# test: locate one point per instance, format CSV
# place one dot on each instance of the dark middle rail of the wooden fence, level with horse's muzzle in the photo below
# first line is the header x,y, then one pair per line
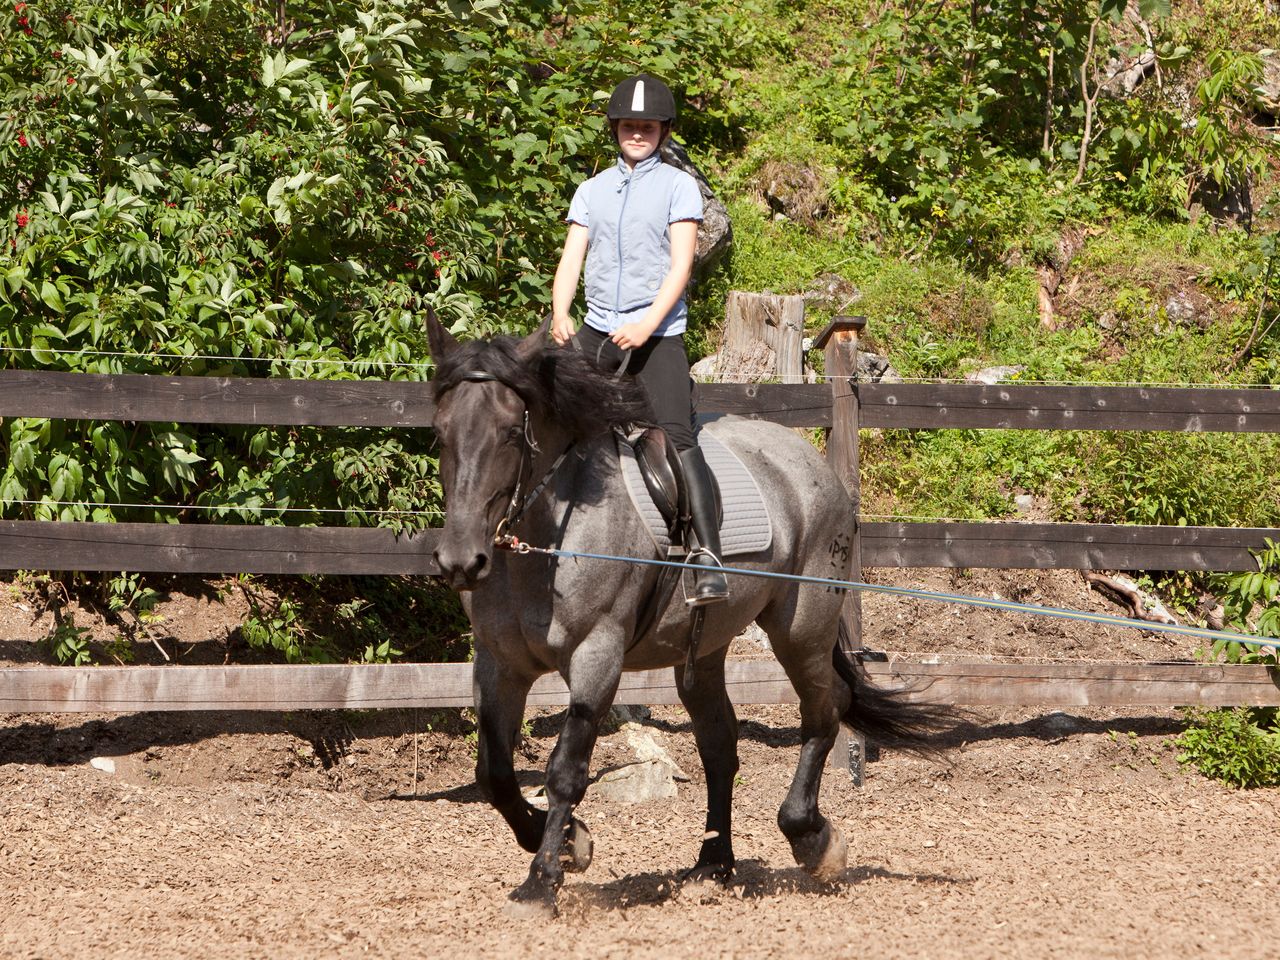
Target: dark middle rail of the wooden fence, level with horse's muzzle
x,y
236,548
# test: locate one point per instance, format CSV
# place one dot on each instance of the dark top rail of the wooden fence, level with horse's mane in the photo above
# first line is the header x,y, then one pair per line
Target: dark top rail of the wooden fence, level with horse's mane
x,y
200,400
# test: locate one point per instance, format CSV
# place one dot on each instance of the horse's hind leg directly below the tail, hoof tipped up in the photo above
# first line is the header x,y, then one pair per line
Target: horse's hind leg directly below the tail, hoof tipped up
x,y
817,844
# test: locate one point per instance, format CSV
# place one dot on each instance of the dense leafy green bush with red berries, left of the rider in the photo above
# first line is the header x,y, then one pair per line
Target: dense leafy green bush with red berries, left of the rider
x,y
263,190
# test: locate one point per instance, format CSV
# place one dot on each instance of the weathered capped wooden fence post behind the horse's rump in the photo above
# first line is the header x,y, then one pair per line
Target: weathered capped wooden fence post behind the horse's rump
x,y
839,344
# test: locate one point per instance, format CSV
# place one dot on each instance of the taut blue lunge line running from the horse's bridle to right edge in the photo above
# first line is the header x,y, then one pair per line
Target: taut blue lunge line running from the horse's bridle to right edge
x,y
1104,619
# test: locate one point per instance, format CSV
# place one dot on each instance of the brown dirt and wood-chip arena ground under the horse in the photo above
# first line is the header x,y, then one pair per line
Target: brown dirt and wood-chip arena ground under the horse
x,y
1049,835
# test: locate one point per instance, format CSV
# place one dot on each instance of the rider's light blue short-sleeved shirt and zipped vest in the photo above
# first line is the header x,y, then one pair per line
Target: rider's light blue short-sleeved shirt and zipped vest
x,y
628,214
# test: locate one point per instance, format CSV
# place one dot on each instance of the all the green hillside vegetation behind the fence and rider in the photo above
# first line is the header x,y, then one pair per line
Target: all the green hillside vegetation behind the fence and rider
x,y
1085,191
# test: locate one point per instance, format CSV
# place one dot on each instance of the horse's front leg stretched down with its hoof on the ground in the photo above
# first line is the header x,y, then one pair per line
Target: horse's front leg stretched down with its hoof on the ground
x,y
593,680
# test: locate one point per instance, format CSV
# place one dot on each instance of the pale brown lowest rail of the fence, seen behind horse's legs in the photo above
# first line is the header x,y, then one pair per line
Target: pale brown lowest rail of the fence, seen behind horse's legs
x,y
437,685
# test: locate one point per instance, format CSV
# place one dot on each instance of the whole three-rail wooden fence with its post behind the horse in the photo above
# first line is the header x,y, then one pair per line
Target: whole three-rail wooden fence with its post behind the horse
x,y
842,405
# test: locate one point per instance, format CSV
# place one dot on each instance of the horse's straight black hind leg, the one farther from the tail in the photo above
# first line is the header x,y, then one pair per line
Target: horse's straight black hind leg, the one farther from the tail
x,y
716,733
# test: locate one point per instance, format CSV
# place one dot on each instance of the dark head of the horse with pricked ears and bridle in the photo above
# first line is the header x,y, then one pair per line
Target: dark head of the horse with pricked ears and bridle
x,y
483,399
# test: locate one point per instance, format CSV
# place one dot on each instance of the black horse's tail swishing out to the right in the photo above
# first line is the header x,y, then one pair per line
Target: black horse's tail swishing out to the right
x,y
880,714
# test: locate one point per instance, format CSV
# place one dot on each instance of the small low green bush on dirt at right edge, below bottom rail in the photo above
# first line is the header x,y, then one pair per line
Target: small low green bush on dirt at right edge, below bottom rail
x,y
1240,747
